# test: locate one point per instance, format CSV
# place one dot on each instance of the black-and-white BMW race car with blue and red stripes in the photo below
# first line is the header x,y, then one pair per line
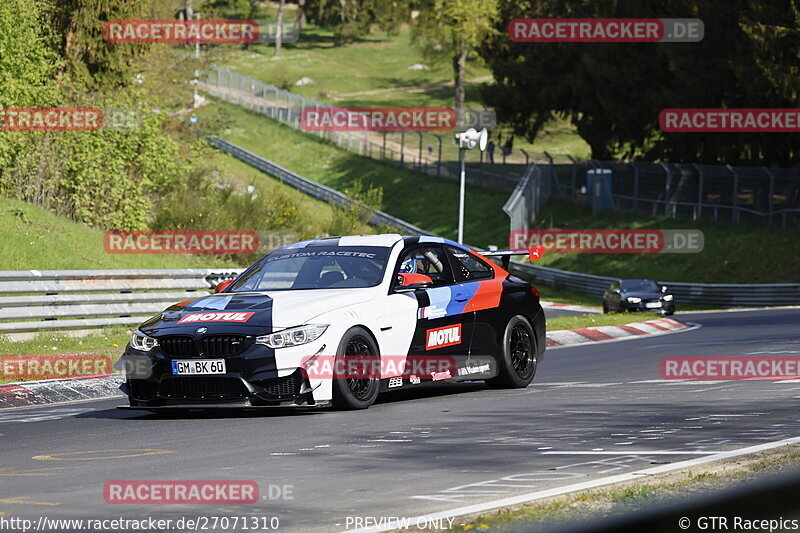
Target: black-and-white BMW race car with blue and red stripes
x,y
337,321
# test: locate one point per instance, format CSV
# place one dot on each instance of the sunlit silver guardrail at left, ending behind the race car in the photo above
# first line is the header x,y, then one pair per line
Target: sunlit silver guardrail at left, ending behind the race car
x,y
35,300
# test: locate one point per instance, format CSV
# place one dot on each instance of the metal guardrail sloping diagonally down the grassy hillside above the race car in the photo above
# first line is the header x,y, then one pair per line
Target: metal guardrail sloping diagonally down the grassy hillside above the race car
x,y
312,188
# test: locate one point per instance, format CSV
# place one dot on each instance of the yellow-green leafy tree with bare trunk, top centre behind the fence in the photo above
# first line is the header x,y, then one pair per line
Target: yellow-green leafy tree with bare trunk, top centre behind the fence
x,y
456,27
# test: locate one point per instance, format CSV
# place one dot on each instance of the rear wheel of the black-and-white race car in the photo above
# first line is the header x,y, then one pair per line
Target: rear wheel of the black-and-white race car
x,y
519,357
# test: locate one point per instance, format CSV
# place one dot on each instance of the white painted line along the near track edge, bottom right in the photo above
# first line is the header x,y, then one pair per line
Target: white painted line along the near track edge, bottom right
x,y
574,487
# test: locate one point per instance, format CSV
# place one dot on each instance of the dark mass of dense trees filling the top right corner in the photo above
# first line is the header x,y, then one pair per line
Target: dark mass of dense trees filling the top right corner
x,y
614,92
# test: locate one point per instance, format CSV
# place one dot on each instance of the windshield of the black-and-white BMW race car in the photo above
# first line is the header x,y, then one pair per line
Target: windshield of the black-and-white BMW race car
x,y
315,267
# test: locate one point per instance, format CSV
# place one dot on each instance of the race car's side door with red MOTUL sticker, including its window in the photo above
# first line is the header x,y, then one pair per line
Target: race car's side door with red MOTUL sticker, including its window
x,y
443,327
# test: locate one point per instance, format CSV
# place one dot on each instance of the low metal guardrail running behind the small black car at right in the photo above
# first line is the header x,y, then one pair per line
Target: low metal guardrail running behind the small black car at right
x,y
722,294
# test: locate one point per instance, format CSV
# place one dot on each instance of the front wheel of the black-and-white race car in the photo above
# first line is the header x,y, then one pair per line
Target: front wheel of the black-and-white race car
x,y
349,393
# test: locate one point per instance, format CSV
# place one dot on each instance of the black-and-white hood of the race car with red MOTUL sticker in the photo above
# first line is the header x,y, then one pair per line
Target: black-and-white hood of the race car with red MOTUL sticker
x,y
253,312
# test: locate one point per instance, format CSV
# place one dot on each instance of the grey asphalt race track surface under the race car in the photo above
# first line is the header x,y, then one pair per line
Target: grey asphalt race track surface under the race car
x,y
592,411
